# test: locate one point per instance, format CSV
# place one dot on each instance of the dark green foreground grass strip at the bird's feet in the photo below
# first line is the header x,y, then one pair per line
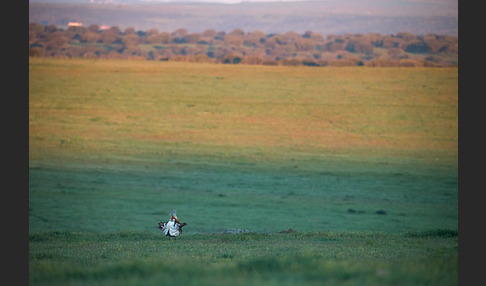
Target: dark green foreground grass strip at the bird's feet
x,y
258,259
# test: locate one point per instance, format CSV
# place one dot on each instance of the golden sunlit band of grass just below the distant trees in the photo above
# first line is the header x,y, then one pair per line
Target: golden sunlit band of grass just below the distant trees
x,y
94,106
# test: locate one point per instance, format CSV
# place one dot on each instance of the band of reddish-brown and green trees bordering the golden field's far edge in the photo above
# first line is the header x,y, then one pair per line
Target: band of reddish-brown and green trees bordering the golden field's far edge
x,y
240,47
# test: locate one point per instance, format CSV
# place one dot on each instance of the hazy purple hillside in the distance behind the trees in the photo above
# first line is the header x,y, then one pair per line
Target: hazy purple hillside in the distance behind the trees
x,y
325,17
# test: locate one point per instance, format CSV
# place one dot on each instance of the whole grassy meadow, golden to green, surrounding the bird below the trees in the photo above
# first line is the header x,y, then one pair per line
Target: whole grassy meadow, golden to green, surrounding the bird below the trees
x,y
360,162
